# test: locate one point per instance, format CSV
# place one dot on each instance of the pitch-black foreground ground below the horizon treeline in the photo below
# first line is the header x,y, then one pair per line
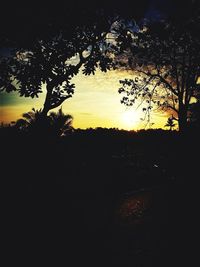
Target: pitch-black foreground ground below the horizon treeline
x,y
101,200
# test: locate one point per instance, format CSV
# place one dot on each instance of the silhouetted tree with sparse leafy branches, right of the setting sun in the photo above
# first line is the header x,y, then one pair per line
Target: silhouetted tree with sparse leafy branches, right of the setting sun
x,y
166,63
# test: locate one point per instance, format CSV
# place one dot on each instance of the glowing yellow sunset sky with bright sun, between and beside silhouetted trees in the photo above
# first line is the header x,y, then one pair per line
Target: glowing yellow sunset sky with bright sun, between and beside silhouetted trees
x,y
95,103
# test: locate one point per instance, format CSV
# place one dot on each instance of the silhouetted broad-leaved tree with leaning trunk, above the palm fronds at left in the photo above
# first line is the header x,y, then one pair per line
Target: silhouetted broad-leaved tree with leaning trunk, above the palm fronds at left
x,y
52,64
